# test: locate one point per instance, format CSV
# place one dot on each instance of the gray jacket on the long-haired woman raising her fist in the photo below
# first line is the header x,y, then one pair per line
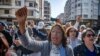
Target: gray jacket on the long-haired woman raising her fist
x,y
42,46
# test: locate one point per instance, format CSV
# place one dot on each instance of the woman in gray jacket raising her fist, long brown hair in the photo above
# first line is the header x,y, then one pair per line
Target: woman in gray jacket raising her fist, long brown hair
x,y
55,46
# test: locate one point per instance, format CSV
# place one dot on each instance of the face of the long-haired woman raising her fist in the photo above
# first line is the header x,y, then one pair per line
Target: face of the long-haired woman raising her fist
x,y
56,35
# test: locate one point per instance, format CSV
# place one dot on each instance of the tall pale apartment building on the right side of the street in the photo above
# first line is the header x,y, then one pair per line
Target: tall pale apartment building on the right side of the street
x,y
88,9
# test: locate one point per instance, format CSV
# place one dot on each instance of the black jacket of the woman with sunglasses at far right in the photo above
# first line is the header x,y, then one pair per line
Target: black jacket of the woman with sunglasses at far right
x,y
81,50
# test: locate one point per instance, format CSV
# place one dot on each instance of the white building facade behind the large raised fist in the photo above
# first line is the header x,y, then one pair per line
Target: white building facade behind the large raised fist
x,y
8,8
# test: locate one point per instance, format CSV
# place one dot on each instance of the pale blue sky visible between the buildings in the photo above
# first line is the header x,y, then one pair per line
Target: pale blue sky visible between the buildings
x,y
57,7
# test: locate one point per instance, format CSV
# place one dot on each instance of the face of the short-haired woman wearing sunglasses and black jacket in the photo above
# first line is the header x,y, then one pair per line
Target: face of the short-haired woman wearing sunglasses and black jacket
x,y
89,37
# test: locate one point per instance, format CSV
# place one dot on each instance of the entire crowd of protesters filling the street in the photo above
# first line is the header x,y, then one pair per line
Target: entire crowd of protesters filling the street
x,y
29,39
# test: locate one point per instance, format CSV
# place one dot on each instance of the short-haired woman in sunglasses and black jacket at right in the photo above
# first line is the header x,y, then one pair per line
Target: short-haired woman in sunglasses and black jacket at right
x,y
87,48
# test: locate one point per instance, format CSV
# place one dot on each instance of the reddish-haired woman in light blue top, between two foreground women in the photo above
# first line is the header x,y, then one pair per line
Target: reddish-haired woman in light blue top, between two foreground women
x,y
72,37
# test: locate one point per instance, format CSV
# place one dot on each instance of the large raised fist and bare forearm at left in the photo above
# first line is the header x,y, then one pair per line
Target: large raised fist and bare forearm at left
x,y
21,16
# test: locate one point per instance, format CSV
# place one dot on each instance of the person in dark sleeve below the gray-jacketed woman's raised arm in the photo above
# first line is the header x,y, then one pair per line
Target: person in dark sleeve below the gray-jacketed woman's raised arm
x,y
22,51
